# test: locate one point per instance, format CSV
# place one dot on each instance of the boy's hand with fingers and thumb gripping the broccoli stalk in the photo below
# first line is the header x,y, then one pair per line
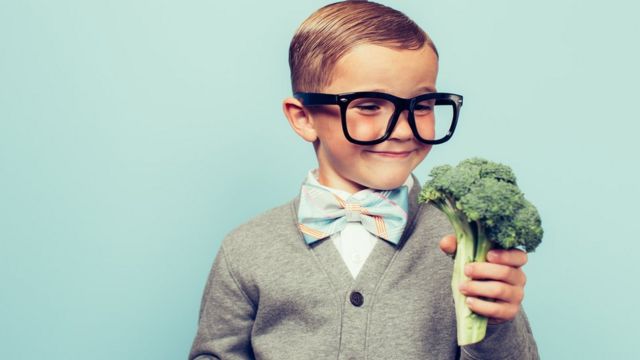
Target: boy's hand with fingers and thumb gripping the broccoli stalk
x,y
500,279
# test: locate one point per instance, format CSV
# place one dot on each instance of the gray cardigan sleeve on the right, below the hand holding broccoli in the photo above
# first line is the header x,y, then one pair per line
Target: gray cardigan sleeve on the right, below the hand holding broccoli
x,y
510,340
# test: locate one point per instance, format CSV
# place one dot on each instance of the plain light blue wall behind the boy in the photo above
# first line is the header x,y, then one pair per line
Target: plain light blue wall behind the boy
x,y
135,134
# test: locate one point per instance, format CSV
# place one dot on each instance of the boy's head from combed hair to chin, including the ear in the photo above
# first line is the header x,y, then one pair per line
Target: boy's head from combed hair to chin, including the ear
x,y
360,46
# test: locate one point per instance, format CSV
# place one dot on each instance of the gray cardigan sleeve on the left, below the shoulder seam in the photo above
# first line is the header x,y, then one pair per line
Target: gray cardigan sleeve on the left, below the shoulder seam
x,y
226,316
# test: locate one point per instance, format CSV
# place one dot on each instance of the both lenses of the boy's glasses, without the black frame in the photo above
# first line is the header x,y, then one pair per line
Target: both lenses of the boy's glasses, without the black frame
x,y
367,119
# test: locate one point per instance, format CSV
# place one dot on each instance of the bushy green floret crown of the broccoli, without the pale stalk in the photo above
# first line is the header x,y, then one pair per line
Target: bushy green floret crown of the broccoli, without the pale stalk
x,y
485,194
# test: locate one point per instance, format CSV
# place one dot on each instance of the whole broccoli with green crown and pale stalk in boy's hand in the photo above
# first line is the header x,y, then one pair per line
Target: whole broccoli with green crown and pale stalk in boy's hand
x,y
487,210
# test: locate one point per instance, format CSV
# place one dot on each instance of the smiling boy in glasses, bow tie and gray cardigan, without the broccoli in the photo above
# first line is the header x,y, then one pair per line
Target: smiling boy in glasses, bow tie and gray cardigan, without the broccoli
x,y
350,268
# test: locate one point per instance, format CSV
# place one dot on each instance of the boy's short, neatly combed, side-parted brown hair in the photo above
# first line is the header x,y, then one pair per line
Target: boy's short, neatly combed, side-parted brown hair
x,y
331,31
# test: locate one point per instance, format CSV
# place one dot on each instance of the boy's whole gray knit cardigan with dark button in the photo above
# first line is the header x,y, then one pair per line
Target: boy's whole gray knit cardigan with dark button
x,y
271,296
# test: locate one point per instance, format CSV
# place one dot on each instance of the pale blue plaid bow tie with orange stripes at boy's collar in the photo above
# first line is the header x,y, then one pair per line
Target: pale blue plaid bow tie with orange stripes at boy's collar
x,y
322,213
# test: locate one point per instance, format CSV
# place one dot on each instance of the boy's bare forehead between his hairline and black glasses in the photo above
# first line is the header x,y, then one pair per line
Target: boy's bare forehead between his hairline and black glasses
x,y
400,72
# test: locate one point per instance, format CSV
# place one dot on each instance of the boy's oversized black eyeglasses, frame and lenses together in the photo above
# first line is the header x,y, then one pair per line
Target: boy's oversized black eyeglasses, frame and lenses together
x,y
369,117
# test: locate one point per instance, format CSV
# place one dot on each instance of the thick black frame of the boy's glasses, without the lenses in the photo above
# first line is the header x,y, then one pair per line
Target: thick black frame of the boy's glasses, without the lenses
x,y
343,100
